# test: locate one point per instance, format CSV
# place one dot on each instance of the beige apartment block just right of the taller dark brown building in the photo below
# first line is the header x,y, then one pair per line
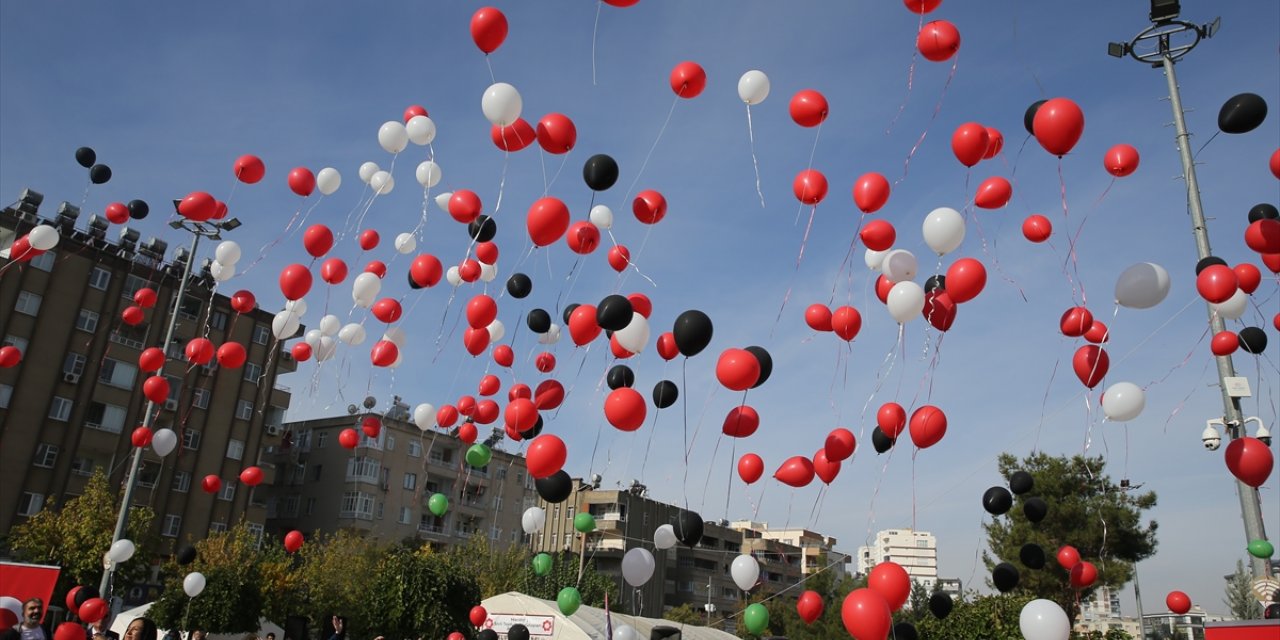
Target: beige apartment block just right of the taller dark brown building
x,y
383,487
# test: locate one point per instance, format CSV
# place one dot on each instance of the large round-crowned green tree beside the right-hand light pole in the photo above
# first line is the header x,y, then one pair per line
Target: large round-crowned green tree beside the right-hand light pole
x,y
1087,511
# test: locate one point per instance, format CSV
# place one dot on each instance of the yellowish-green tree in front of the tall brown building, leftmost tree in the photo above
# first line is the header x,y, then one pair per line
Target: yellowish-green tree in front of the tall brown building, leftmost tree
x,y
77,536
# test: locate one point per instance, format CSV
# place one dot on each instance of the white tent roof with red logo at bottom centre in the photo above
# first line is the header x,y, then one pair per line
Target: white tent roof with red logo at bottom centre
x,y
546,623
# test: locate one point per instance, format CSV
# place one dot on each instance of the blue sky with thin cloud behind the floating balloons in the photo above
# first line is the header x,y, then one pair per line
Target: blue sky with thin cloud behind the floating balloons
x,y
171,95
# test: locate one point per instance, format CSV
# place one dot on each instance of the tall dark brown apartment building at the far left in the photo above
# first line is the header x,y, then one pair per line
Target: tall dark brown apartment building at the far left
x,y
71,405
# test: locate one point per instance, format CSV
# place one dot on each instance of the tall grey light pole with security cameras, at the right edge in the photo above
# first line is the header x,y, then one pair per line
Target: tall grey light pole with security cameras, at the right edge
x,y
1162,45
